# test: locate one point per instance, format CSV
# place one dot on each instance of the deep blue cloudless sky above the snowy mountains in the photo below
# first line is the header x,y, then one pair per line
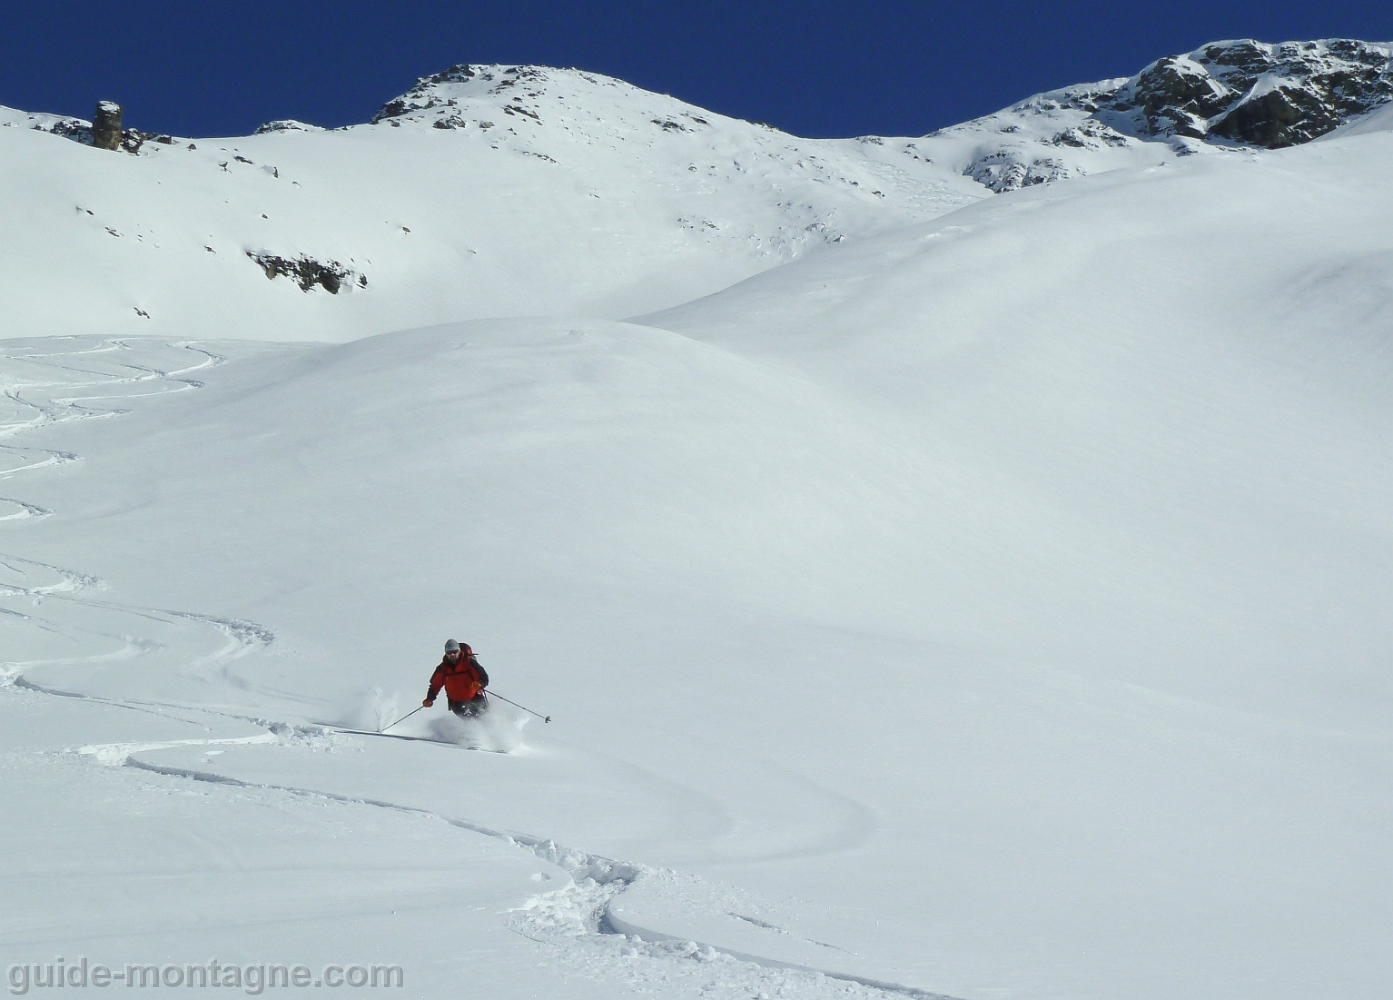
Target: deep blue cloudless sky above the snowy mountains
x,y
814,69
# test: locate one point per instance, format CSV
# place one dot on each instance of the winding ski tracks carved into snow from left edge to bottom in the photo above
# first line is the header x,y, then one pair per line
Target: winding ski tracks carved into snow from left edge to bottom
x,y
59,386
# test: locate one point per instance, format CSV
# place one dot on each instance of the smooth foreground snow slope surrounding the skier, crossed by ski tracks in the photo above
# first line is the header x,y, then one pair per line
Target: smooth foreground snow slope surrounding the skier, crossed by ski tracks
x,y
994,607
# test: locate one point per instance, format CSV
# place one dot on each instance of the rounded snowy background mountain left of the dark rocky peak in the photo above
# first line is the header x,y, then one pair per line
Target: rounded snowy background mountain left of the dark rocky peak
x,y
551,192
